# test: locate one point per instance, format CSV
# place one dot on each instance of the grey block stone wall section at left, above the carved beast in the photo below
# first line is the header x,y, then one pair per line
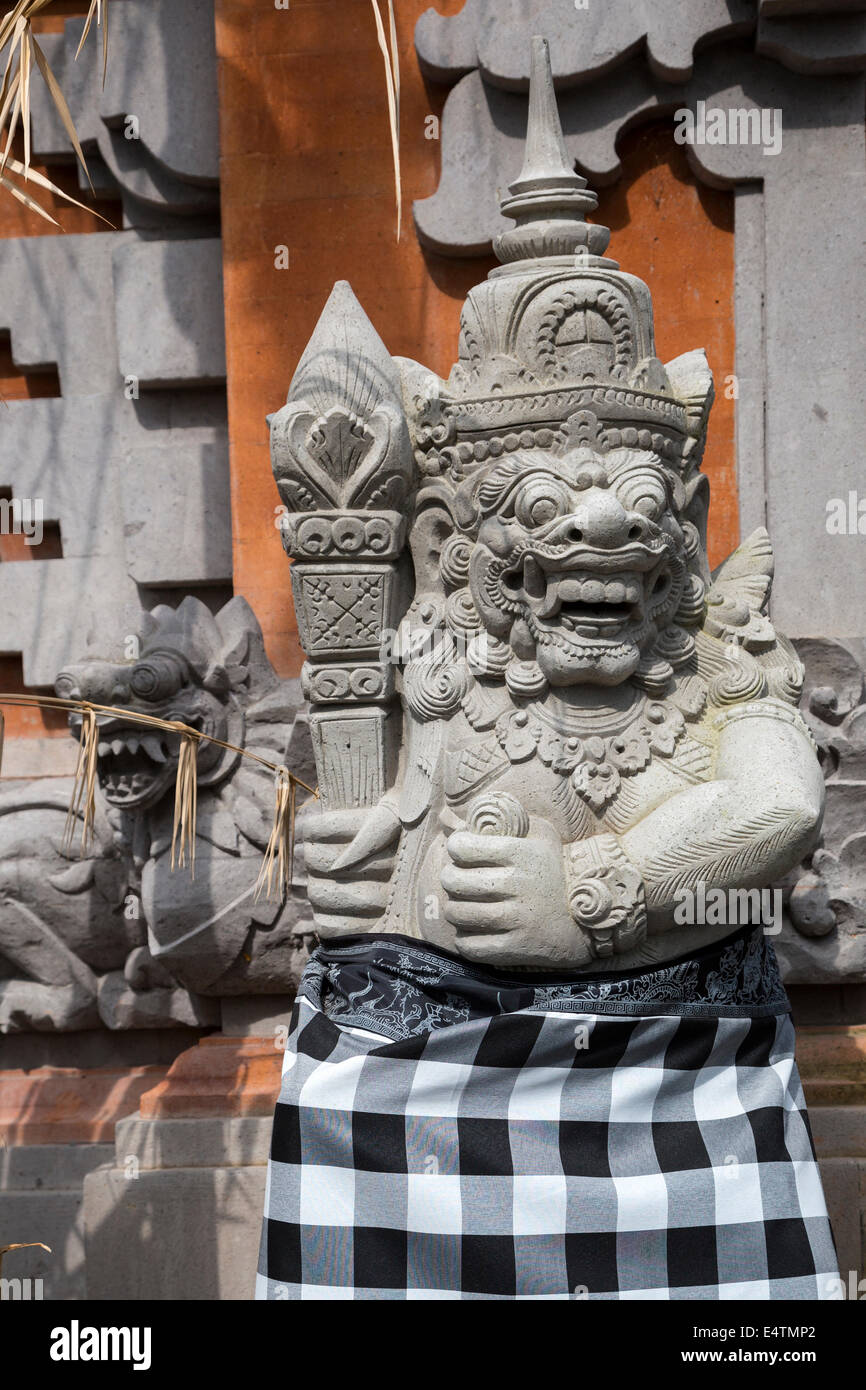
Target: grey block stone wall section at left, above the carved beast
x,y
131,458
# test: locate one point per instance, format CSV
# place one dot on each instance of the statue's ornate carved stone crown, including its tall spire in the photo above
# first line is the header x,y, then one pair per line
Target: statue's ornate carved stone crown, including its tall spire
x,y
557,347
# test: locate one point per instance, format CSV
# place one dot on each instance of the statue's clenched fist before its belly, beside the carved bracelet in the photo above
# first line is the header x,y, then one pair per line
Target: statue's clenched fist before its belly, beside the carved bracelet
x,y
508,900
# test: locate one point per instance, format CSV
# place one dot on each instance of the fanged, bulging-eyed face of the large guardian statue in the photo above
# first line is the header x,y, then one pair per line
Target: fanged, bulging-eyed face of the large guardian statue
x,y
579,562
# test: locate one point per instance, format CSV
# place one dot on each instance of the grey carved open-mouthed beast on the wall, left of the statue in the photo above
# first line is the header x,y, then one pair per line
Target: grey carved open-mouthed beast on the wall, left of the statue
x,y
117,938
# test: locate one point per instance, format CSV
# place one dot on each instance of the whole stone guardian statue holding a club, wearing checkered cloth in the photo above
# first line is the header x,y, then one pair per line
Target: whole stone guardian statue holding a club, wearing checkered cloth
x,y
544,733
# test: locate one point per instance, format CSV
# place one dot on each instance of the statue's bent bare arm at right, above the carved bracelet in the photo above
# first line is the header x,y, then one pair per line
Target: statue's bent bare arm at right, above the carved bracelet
x,y
747,828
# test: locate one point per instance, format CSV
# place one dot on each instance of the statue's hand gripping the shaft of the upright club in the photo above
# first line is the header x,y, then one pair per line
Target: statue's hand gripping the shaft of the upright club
x,y
351,899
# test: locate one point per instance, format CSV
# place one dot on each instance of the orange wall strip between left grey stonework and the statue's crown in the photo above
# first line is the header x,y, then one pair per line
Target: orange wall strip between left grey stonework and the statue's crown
x,y
307,165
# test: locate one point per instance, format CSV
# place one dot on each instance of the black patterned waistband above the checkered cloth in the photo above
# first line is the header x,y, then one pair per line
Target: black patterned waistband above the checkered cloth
x,y
401,988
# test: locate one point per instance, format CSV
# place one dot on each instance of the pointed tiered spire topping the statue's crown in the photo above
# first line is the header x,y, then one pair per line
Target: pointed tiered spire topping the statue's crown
x,y
548,201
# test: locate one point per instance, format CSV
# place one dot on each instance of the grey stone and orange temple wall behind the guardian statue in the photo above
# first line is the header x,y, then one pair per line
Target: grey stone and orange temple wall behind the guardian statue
x,y
138,1152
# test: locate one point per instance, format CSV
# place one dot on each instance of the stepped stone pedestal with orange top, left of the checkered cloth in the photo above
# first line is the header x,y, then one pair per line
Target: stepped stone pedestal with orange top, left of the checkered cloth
x,y
177,1213
